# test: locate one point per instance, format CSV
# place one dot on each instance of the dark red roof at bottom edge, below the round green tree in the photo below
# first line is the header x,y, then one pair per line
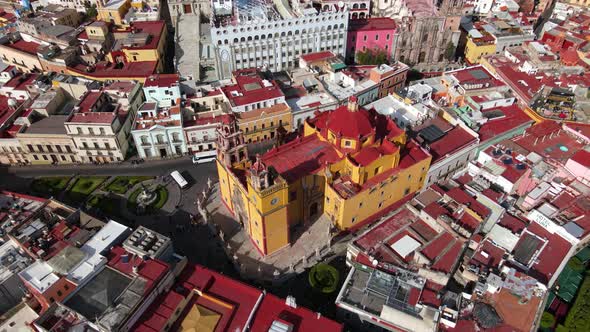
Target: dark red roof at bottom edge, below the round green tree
x,y
301,319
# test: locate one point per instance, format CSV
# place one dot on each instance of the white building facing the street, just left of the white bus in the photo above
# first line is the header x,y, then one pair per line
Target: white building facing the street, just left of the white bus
x,y
157,132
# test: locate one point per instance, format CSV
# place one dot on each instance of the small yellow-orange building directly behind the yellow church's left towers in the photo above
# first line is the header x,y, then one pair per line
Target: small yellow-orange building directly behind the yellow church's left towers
x,y
265,123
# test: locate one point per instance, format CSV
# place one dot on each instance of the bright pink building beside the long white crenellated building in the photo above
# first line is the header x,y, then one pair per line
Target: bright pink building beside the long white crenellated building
x,y
374,33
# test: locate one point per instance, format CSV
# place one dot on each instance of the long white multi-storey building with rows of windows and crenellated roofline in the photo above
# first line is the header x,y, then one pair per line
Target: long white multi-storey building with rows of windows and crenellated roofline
x,y
273,37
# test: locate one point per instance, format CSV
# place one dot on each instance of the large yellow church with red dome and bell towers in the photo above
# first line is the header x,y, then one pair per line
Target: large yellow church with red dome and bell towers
x,y
350,164
